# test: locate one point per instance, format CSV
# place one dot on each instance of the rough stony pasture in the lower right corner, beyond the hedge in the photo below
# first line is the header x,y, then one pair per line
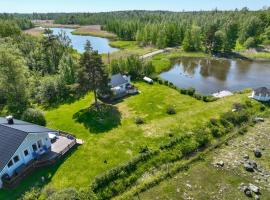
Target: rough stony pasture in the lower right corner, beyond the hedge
x,y
205,181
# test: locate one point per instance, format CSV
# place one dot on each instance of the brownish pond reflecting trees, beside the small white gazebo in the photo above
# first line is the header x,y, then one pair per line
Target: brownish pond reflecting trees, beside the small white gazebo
x,y
208,76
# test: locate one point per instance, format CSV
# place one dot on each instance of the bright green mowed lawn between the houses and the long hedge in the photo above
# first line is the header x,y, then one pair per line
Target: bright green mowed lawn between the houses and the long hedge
x,y
123,141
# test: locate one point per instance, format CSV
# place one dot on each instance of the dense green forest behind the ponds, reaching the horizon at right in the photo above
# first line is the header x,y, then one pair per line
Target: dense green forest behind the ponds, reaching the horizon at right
x,y
211,31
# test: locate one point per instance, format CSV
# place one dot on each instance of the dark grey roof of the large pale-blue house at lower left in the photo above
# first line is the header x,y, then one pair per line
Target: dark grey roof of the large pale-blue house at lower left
x,y
12,136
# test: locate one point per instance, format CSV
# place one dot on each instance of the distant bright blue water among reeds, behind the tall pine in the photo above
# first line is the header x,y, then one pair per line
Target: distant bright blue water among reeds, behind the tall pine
x,y
78,41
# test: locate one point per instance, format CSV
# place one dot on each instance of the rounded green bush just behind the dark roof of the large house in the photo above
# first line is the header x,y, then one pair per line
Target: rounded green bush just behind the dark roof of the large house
x,y
34,116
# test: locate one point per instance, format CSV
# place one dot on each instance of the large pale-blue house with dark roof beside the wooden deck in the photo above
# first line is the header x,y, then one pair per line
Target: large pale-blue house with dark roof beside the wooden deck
x,y
21,142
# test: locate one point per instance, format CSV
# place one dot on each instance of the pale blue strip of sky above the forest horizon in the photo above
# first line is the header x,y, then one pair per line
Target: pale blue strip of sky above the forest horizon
x,y
29,6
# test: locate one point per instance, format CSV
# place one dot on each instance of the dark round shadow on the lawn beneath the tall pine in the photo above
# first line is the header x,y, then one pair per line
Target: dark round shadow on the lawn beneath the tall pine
x,y
99,119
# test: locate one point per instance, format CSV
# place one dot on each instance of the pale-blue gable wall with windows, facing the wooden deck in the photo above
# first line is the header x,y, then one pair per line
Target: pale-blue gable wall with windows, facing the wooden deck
x,y
26,145
